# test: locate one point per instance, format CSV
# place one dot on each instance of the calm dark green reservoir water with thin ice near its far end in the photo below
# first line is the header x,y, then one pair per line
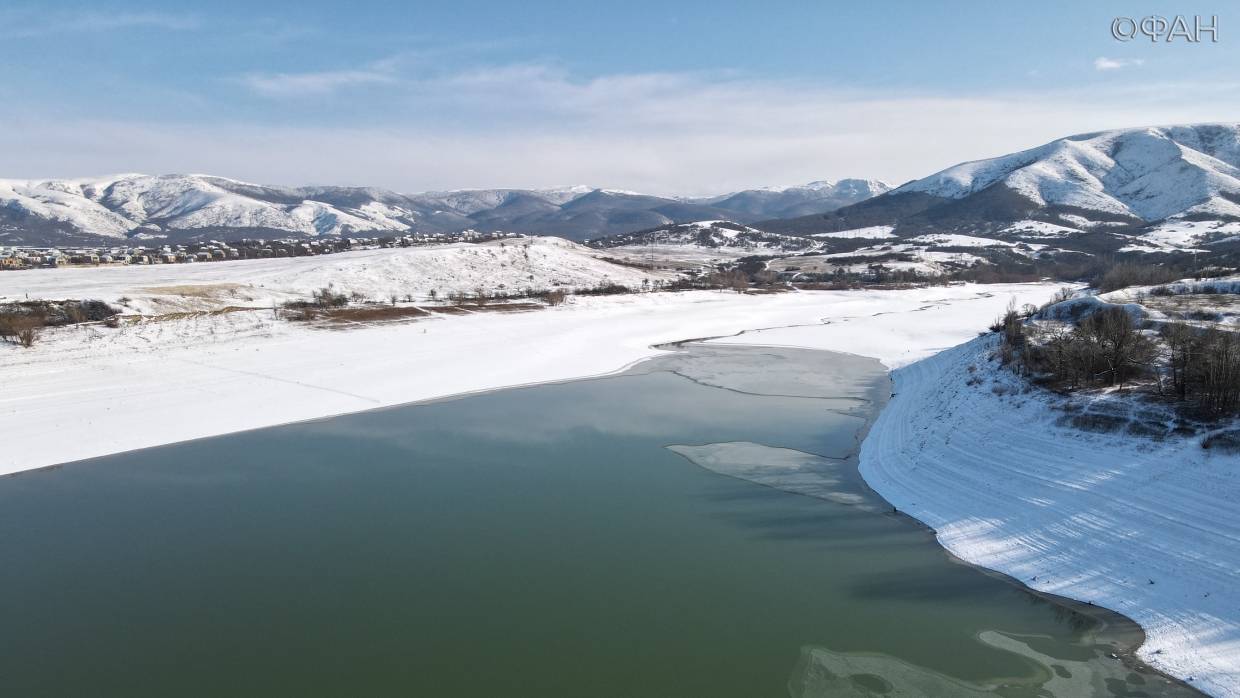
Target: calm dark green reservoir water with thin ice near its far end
x,y
539,542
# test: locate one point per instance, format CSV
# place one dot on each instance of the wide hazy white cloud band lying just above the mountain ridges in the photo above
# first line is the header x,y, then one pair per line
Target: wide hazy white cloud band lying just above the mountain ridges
x,y
538,126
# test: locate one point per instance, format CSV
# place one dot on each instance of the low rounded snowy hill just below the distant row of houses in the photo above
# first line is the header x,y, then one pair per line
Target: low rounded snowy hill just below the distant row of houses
x,y
497,267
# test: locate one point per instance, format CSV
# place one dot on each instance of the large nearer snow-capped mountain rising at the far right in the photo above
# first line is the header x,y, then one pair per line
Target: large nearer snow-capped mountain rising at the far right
x,y
1110,182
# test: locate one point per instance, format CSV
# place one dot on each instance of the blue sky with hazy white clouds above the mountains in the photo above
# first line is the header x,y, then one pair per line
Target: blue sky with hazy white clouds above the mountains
x,y
668,97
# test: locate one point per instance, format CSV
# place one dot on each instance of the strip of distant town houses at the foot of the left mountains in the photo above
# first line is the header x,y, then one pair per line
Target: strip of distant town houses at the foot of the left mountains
x,y
14,258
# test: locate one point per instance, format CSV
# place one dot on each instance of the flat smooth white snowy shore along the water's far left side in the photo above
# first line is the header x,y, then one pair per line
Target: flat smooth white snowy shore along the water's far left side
x,y
91,391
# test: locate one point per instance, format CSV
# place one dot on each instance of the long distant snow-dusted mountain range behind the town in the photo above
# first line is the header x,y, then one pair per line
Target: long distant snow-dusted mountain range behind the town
x,y
197,206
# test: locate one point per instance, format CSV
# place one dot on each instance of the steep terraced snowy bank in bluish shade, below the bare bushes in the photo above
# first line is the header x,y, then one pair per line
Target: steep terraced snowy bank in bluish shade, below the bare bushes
x,y
1144,528
